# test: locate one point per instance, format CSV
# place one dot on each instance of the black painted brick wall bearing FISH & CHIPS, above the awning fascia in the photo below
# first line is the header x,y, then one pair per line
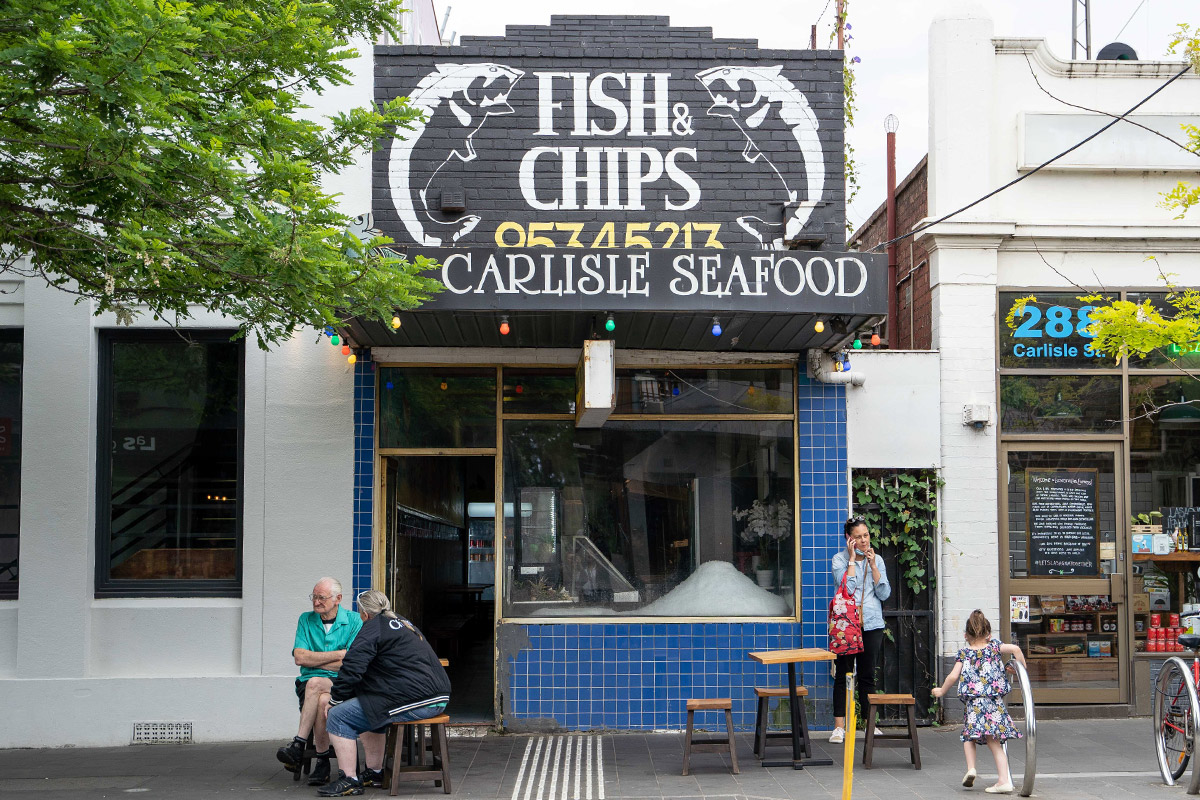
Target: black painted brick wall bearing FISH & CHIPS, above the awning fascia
x,y
548,113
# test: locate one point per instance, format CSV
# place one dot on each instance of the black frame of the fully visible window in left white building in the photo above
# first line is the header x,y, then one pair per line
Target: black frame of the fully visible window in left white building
x,y
107,587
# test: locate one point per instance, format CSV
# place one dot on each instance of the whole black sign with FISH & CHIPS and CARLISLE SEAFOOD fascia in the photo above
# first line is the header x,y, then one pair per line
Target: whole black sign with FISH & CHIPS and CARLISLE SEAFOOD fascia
x,y
575,165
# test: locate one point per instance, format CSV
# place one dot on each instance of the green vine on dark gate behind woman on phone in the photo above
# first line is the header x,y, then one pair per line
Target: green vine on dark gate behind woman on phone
x,y
902,510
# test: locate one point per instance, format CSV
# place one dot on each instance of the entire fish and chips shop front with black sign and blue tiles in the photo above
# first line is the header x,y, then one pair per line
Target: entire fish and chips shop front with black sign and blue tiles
x,y
599,467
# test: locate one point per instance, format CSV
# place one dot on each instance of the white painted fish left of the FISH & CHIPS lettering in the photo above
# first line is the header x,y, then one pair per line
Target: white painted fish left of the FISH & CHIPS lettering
x,y
471,93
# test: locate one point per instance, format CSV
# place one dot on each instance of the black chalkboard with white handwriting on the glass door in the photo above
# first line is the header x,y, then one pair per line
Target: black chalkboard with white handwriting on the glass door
x,y
1063,521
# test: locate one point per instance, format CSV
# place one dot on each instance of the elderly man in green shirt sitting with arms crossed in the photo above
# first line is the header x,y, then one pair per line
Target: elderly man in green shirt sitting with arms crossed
x,y
323,636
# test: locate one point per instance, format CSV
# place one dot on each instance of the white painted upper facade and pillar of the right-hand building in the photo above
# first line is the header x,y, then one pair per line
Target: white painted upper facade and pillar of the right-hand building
x,y
1083,222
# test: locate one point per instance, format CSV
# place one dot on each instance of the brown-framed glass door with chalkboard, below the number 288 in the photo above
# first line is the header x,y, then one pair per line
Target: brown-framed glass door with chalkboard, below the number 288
x,y
1064,569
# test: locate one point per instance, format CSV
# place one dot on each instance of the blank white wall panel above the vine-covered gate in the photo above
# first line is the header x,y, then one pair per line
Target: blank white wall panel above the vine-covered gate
x,y
895,420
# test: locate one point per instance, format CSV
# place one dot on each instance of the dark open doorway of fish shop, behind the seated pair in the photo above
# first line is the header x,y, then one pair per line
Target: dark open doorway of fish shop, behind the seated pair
x,y
439,566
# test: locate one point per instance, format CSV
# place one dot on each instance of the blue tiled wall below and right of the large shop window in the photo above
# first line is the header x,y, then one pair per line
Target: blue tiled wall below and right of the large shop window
x,y
625,676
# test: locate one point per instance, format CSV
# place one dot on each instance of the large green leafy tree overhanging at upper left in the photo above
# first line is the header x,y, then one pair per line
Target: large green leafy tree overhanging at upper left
x,y
155,159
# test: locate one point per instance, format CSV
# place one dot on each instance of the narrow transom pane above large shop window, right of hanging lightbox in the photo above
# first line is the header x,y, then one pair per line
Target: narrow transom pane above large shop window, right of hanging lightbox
x,y
705,392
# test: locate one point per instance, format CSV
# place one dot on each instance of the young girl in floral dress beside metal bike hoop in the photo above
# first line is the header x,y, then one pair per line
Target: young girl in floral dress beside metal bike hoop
x,y
982,689
